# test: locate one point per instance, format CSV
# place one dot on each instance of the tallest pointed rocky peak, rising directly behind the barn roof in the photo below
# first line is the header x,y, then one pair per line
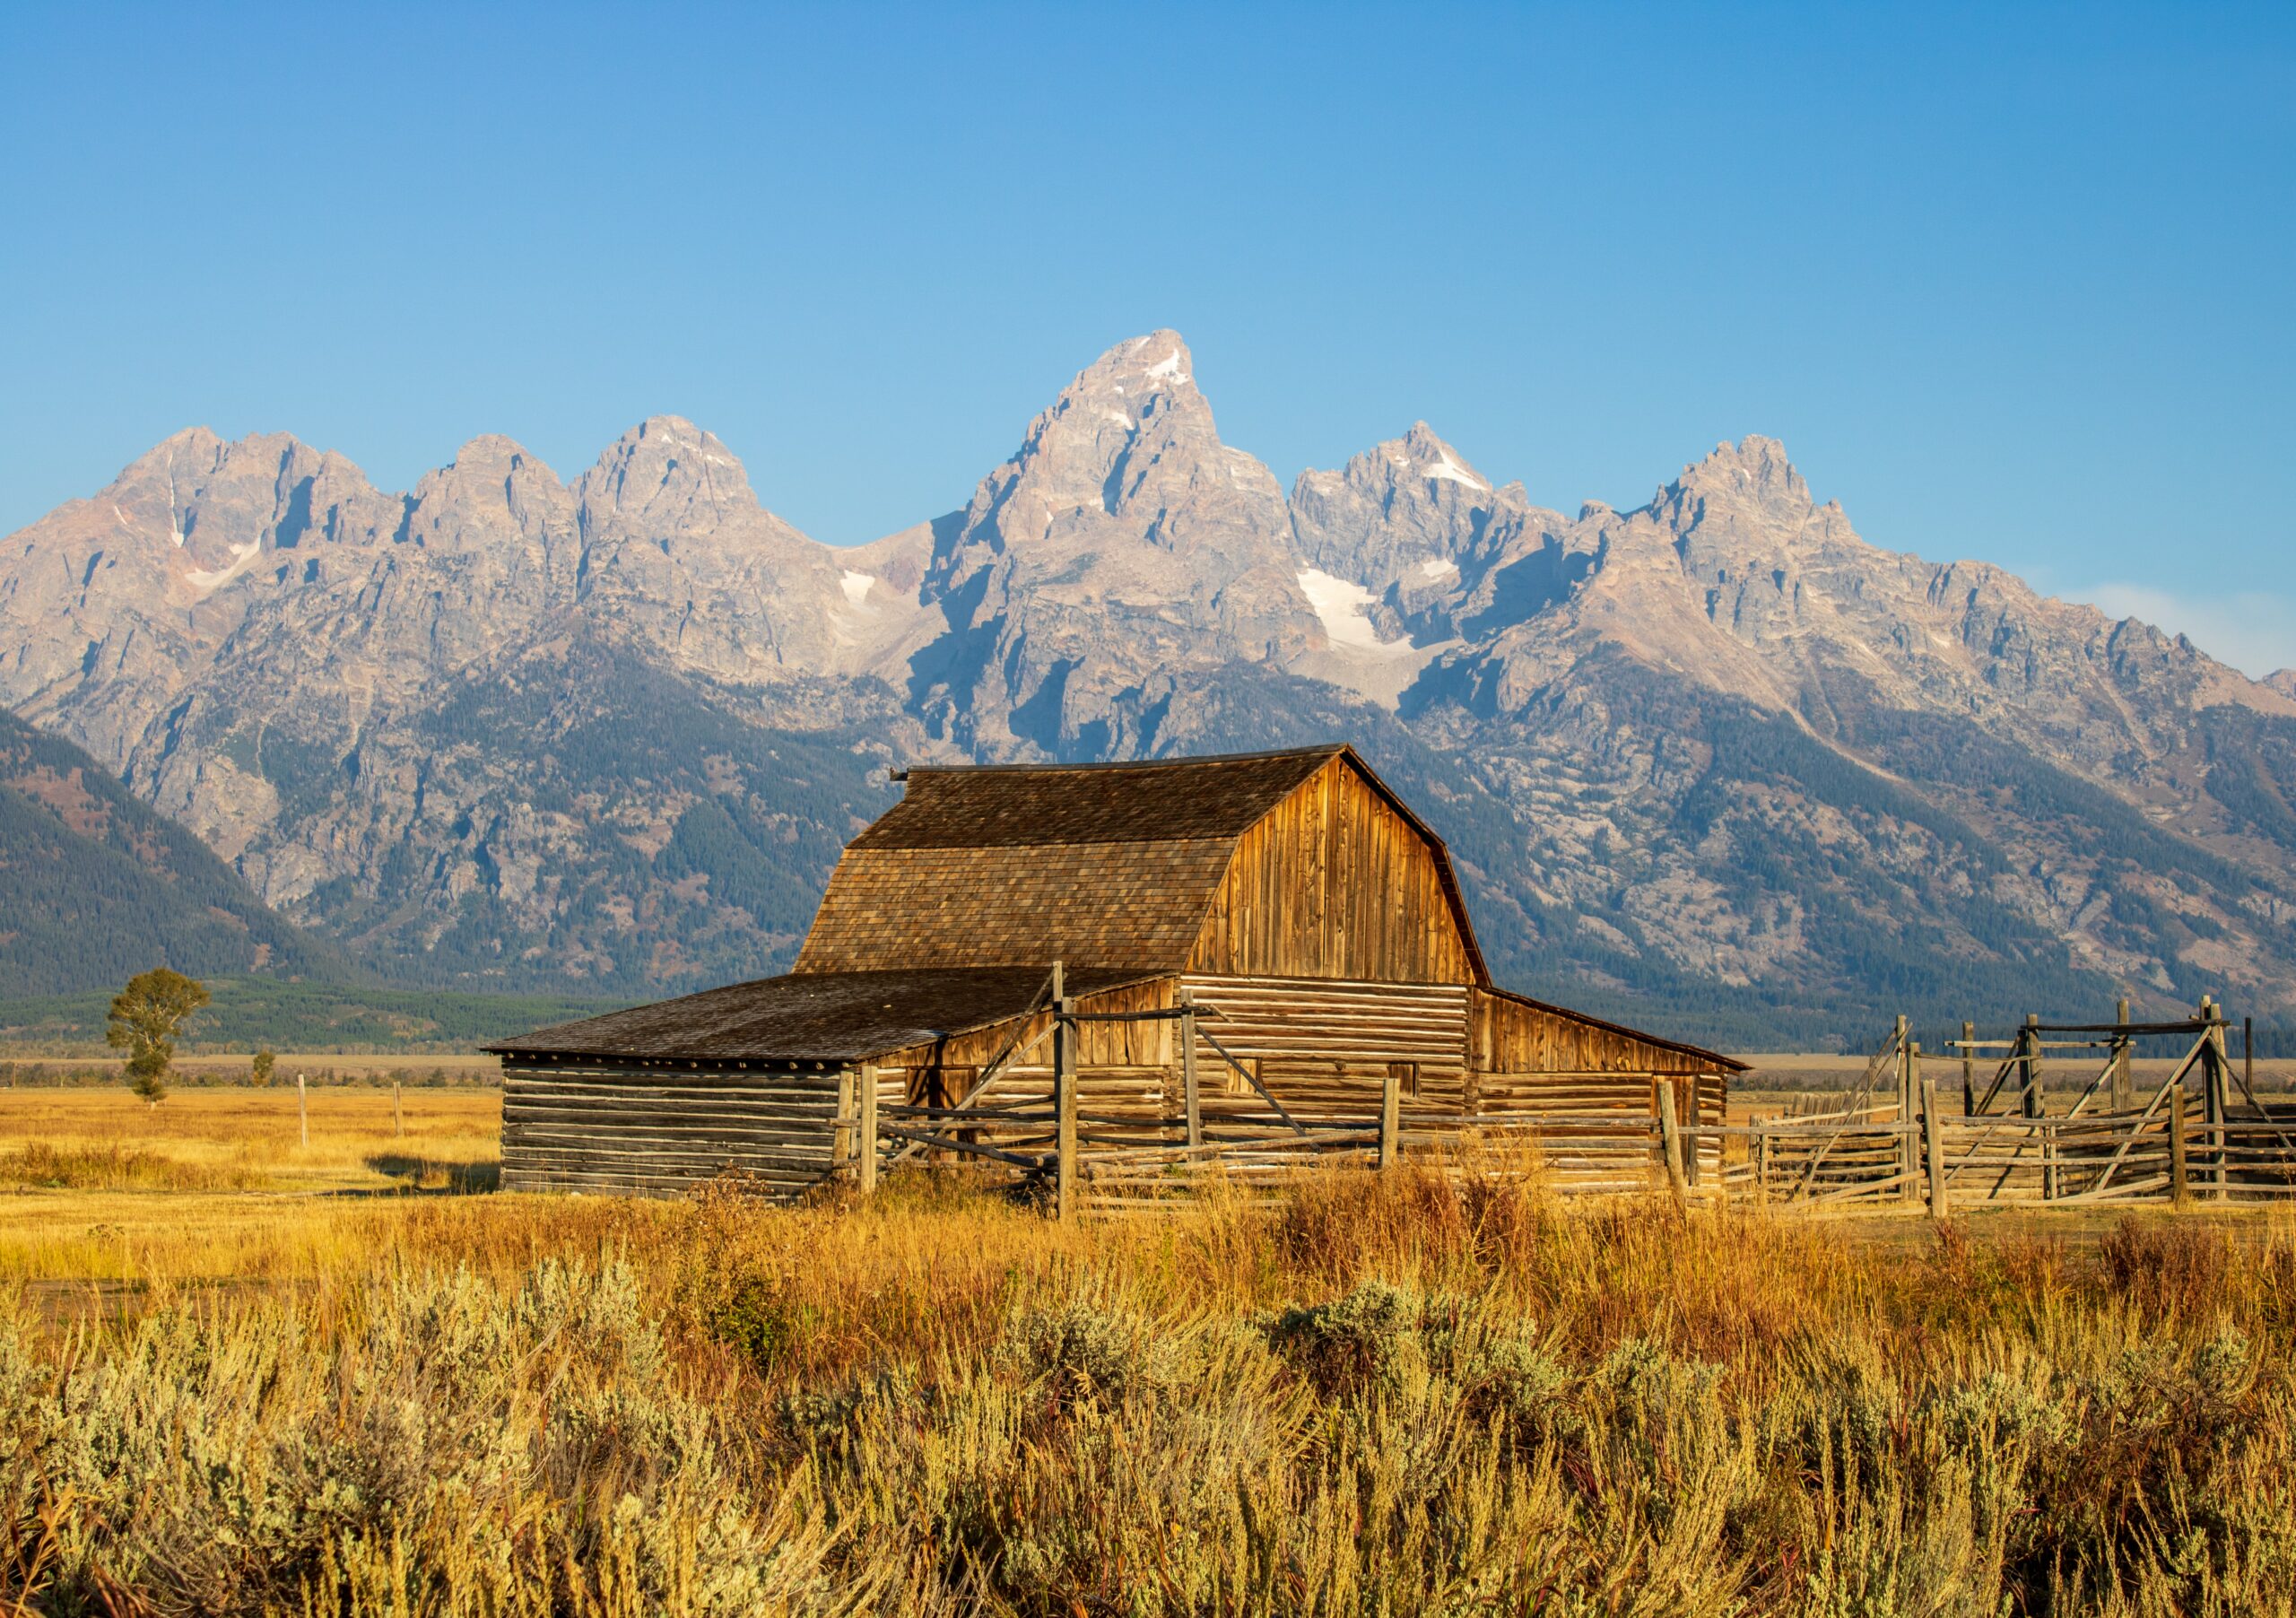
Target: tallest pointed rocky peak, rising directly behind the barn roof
x,y
1119,557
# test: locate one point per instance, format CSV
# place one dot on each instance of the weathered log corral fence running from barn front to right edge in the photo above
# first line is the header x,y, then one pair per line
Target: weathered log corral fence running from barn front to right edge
x,y
1112,1142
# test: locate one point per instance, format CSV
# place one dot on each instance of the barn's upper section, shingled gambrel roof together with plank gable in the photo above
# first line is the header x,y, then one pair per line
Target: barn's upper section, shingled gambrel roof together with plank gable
x,y
1271,866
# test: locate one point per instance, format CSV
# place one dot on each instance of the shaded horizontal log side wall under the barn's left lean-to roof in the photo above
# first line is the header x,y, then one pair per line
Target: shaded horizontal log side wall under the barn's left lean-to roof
x,y
662,1130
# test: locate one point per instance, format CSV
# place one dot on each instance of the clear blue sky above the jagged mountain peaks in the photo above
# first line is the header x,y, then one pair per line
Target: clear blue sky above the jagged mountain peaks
x,y
2010,283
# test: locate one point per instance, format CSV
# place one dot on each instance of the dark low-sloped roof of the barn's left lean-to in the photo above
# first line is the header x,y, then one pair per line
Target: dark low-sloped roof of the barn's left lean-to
x,y
828,1018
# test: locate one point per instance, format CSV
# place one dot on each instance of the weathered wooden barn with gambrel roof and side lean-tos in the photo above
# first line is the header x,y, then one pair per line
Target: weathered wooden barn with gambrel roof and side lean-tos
x,y
1250,951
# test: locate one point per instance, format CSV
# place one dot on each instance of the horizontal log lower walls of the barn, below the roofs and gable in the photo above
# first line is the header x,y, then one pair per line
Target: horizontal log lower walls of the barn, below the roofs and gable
x,y
1321,1048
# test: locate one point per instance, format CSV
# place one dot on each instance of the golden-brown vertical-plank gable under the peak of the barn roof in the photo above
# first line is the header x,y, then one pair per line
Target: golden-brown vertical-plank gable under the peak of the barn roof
x,y
1335,885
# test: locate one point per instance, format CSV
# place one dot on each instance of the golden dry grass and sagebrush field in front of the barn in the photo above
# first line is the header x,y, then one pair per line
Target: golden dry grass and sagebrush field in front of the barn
x,y
242,1376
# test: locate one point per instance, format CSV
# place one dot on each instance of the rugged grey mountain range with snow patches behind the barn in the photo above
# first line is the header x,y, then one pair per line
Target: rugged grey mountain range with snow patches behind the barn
x,y
1712,763
